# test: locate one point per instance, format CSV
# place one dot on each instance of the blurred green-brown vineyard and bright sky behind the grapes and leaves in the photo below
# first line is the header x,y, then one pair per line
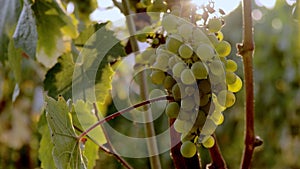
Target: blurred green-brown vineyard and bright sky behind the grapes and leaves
x,y
277,94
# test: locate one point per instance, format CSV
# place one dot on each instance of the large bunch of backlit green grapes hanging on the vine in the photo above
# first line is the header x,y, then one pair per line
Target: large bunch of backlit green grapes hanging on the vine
x,y
193,68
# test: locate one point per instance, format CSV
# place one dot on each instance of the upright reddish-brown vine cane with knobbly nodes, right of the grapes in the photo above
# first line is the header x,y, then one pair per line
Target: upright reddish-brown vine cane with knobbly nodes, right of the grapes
x,y
246,51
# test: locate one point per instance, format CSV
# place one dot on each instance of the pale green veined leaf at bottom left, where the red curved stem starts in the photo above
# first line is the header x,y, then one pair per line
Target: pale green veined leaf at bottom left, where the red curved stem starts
x,y
66,151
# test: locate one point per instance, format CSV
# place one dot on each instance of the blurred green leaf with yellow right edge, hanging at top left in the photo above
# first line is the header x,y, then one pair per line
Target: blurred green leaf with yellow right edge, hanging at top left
x,y
54,27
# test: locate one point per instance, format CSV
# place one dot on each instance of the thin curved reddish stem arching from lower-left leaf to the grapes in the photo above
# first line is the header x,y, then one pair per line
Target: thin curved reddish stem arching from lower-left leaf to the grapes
x,y
114,115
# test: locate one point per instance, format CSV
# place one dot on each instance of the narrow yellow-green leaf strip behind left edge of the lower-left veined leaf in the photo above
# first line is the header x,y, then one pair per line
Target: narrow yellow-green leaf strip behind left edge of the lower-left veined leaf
x,y
45,150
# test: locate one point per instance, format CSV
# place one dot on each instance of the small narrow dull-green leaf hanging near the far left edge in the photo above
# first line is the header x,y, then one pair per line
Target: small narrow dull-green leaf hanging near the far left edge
x,y
14,59
